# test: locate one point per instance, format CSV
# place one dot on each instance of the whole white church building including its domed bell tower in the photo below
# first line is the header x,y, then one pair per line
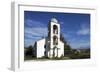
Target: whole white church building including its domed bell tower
x,y
51,46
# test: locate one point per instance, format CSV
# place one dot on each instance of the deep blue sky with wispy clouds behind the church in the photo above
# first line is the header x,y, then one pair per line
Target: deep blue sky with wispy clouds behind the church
x,y
75,27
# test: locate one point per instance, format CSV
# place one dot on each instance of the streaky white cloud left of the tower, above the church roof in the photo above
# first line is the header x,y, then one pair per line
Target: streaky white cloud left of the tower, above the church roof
x,y
34,34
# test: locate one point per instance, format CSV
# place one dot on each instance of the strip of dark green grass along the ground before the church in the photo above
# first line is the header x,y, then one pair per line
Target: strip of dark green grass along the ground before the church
x,y
67,57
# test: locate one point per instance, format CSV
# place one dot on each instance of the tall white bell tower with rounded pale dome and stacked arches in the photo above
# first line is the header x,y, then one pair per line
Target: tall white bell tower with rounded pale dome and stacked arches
x,y
53,38
